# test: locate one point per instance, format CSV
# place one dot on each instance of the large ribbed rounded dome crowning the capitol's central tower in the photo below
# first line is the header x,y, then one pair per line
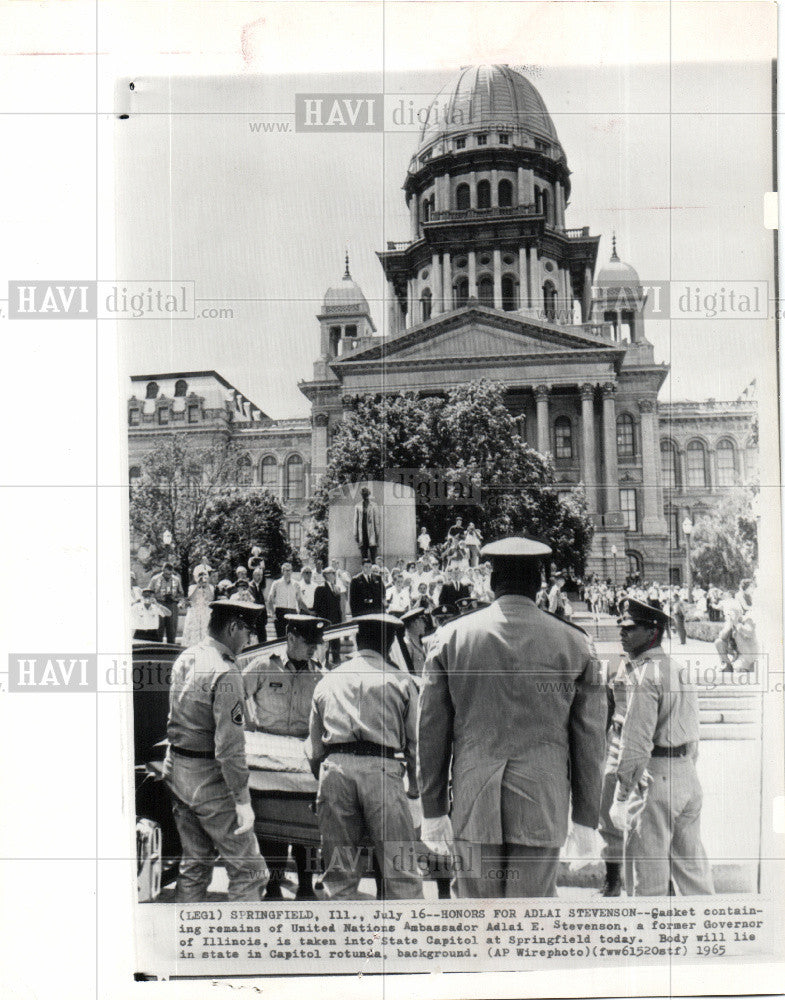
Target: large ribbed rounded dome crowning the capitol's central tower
x,y
485,96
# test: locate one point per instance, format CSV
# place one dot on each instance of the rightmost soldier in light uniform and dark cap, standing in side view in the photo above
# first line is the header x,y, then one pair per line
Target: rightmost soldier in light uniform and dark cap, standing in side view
x,y
658,797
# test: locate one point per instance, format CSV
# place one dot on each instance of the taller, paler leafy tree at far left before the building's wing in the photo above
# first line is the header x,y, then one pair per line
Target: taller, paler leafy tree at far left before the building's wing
x,y
173,495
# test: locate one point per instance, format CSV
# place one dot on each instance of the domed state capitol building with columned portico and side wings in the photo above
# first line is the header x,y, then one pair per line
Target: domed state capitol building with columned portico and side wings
x,y
492,284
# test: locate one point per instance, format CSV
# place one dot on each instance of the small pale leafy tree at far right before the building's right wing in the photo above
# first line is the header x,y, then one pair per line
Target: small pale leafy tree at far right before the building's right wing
x,y
724,543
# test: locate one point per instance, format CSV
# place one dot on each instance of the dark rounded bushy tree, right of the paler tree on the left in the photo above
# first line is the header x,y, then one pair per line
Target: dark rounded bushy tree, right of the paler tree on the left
x,y
236,519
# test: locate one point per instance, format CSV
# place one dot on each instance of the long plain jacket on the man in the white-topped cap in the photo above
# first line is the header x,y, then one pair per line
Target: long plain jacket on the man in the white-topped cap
x,y
512,684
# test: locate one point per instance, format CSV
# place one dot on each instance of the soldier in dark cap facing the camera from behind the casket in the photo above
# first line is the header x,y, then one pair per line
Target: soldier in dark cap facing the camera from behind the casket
x,y
279,693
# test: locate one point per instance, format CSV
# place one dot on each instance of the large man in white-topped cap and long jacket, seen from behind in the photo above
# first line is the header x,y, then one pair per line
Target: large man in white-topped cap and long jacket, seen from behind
x,y
512,703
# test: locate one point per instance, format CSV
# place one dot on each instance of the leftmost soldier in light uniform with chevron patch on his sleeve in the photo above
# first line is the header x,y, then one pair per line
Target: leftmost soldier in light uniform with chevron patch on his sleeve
x,y
205,766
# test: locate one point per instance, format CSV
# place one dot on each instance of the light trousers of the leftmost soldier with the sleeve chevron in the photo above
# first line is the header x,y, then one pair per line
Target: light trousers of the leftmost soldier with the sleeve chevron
x,y
206,820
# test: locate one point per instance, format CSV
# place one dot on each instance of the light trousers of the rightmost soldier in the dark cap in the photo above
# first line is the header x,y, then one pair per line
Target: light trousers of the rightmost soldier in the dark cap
x,y
666,844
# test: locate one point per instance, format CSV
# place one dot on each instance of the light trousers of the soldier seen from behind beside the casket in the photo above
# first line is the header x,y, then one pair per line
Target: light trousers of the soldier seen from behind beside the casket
x,y
362,800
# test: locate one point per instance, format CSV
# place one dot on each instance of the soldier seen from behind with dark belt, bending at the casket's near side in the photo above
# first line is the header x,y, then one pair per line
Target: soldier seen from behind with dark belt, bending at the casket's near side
x,y
363,739
